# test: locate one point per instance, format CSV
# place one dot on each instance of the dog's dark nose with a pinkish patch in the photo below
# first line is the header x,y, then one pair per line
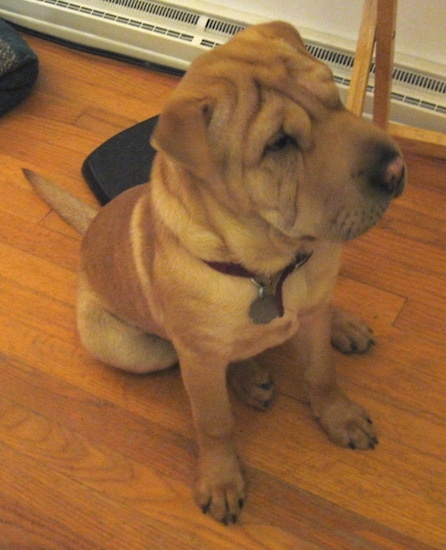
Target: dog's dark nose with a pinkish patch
x,y
390,173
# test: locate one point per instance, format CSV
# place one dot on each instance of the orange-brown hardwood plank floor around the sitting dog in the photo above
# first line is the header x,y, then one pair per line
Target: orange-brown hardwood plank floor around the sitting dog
x,y
91,458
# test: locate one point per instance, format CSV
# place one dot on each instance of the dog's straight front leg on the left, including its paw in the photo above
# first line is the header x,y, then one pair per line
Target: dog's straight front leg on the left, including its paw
x,y
220,487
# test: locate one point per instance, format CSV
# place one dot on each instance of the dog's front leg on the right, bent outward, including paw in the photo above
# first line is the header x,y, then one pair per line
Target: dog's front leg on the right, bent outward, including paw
x,y
345,422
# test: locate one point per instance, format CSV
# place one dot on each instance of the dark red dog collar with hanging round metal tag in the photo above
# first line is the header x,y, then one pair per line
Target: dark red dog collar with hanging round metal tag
x,y
269,303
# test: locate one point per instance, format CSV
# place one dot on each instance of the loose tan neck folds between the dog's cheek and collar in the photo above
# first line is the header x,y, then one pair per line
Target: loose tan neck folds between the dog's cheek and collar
x,y
212,232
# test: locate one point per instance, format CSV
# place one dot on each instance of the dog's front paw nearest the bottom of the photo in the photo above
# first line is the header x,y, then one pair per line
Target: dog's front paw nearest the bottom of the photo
x,y
220,491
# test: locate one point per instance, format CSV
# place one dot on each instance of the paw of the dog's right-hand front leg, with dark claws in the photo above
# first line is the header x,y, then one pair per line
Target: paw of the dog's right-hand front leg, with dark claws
x,y
348,425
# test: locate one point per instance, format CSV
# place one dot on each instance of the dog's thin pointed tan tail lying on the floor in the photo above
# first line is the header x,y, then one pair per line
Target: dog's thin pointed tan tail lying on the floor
x,y
75,212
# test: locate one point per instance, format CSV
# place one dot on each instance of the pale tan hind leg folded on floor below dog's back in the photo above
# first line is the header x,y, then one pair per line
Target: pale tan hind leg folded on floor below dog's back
x,y
118,343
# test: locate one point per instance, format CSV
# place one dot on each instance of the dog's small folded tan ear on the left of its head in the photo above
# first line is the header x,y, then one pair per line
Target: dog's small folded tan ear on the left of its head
x,y
181,133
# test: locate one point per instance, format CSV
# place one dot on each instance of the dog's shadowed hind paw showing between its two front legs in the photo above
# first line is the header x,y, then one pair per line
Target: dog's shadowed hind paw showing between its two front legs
x,y
252,384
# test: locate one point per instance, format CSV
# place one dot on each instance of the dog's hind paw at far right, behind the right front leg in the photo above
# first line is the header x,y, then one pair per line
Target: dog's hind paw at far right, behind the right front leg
x,y
349,333
